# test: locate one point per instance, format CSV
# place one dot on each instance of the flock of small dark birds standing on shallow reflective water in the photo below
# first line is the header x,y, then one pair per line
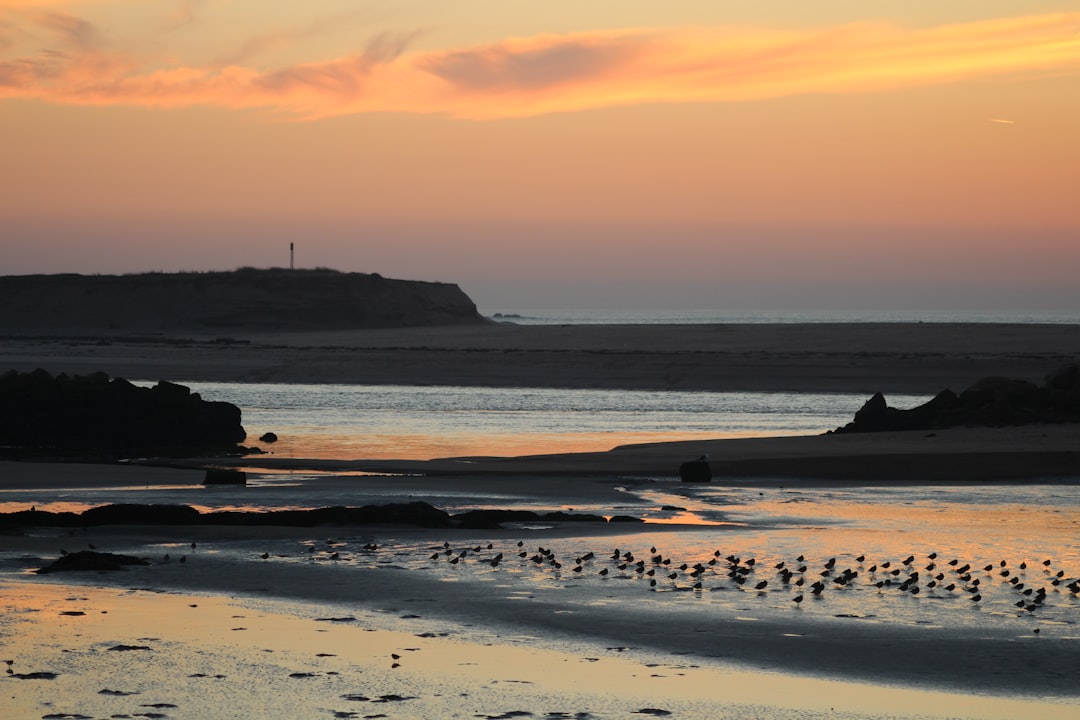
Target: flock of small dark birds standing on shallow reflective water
x,y
1032,585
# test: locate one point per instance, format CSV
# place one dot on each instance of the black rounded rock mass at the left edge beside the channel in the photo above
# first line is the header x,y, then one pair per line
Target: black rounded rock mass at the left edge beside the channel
x,y
97,417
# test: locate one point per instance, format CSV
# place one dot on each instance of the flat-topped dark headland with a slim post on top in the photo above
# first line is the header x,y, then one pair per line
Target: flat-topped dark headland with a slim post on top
x,y
248,300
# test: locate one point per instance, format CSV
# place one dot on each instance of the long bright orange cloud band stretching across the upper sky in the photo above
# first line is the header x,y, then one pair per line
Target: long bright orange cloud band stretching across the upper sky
x,y
528,77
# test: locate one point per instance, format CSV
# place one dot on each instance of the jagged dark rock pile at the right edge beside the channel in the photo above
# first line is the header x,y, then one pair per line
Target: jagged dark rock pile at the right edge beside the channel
x,y
991,402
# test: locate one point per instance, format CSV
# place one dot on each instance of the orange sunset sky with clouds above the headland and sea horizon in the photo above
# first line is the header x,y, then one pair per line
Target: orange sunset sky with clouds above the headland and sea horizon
x,y
631,154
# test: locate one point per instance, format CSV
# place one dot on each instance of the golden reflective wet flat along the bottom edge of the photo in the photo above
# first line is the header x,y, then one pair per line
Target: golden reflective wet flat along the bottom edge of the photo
x,y
213,657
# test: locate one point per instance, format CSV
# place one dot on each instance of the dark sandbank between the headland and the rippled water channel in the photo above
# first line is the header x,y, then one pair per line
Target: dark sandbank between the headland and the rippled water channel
x,y
895,358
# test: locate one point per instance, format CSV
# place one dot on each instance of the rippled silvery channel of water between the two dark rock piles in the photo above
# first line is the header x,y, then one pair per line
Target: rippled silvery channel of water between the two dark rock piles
x,y
342,422
